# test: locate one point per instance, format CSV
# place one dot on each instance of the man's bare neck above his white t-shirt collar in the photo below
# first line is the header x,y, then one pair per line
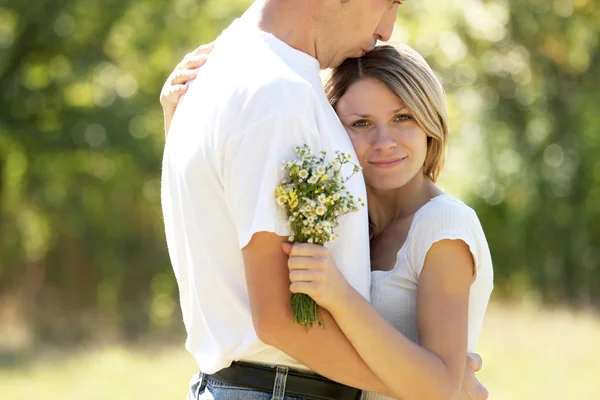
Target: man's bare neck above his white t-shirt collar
x,y
289,21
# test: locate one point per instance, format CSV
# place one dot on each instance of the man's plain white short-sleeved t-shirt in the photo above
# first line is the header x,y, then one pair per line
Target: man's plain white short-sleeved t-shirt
x,y
253,102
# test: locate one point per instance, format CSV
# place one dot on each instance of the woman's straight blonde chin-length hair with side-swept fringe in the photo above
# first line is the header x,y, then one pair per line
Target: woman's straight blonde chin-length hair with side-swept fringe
x,y
408,75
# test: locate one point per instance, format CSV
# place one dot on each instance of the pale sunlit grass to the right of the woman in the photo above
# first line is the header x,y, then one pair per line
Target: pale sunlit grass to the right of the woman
x,y
541,354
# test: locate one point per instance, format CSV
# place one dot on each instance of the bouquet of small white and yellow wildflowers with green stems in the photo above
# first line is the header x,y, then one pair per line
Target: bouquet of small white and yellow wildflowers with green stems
x,y
314,196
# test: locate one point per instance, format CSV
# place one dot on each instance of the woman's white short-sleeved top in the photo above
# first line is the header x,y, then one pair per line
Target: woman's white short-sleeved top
x,y
394,292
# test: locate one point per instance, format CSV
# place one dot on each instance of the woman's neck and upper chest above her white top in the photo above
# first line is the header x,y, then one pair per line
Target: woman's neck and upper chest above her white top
x,y
387,206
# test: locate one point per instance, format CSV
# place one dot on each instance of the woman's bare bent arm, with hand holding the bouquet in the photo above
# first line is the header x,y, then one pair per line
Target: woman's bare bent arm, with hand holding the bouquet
x,y
435,368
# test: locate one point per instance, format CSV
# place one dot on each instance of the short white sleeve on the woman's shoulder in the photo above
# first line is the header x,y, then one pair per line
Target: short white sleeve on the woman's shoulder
x,y
445,220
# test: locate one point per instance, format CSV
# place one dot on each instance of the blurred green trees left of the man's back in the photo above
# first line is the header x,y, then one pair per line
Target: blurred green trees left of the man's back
x,y
81,236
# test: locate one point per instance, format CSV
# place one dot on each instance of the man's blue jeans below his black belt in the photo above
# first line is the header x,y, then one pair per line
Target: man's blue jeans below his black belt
x,y
203,387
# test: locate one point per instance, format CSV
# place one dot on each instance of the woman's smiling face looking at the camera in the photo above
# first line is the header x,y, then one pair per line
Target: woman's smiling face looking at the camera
x,y
390,145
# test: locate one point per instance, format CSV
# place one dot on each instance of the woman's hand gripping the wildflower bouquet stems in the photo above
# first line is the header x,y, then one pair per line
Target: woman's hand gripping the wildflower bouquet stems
x,y
313,272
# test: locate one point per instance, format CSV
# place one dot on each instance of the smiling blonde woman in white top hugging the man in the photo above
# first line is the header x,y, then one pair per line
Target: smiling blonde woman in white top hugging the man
x,y
431,267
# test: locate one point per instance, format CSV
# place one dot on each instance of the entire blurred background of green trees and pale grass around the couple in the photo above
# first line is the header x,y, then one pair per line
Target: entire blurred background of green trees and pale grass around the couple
x,y
88,302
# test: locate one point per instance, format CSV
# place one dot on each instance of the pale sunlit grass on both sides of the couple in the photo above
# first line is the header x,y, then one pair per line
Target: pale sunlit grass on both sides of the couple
x,y
528,353
